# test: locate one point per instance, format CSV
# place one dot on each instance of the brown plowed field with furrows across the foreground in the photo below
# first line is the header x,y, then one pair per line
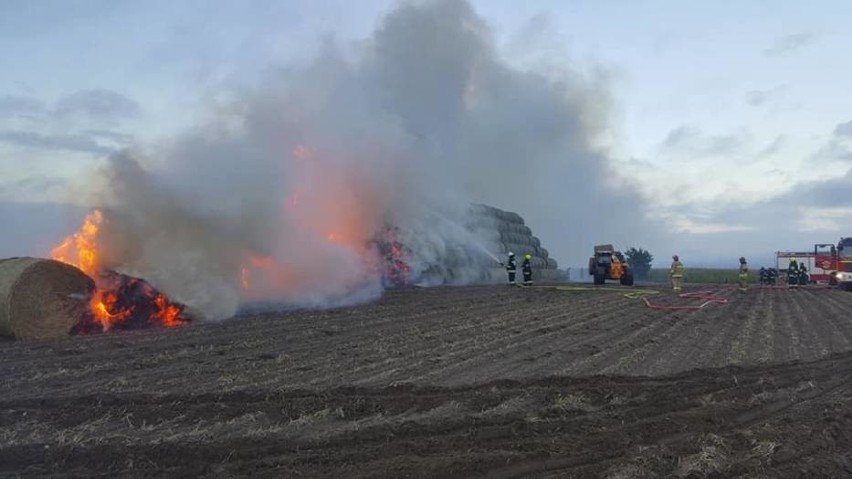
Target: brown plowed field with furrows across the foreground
x,y
451,382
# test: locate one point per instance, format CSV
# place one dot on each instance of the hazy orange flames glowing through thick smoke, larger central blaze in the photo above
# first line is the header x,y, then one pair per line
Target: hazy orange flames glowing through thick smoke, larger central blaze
x,y
331,215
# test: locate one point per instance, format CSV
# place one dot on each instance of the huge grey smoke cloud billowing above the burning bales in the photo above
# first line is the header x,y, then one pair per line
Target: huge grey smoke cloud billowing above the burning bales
x,y
279,194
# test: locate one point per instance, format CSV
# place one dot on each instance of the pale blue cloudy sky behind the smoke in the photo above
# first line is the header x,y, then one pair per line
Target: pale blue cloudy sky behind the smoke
x,y
733,120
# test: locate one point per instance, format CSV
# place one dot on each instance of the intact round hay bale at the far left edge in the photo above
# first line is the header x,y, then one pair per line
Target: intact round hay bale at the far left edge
x,y
41,298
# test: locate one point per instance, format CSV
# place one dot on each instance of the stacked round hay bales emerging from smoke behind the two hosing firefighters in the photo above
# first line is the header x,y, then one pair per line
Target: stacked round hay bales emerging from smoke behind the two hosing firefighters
x,y
504,231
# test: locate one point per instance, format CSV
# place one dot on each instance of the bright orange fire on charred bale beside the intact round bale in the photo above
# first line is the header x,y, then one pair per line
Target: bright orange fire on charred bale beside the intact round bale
x,y
119,301
